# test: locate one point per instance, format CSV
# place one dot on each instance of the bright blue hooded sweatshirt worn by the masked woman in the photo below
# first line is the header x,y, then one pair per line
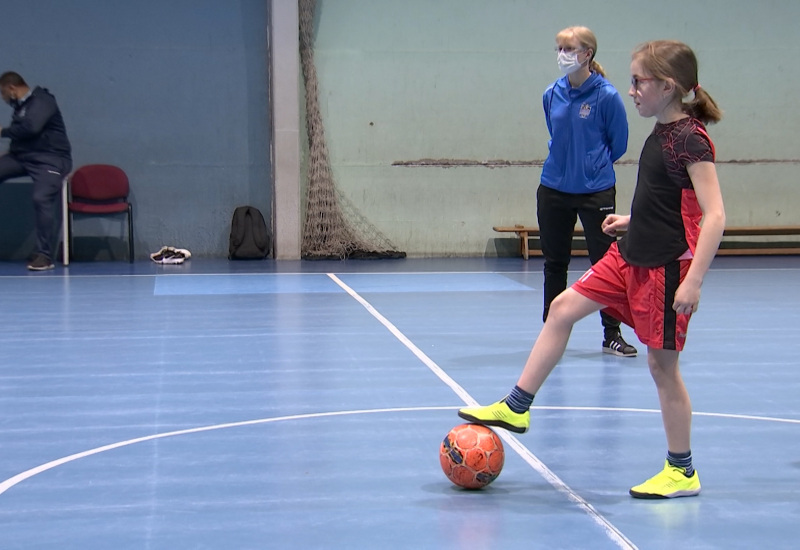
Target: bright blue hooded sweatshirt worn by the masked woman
x,y
588,133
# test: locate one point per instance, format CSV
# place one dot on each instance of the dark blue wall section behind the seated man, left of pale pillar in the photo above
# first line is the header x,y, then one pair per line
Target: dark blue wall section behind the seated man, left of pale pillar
x,y
175,92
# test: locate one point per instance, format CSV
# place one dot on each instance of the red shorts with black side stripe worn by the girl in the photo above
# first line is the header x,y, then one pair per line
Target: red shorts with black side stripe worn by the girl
x,y
640,297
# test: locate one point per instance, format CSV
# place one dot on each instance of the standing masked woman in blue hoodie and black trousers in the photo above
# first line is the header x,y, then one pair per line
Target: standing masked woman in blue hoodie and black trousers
x,y
588,132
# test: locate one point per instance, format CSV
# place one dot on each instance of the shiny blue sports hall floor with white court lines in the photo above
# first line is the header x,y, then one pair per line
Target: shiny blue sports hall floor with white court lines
x,y
222,405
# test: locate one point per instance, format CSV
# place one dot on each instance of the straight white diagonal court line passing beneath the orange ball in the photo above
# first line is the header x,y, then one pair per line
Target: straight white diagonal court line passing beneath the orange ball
x,y
611,531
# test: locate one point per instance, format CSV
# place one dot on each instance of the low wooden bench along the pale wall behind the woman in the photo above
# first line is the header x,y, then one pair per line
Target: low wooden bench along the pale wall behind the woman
x,y
728,247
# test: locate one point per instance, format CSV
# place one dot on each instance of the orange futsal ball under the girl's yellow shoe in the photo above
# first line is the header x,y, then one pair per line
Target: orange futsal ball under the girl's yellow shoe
x,y
471,456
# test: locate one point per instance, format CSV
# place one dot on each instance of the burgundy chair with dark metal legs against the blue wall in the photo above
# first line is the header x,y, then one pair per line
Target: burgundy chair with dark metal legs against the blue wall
x,y
98,190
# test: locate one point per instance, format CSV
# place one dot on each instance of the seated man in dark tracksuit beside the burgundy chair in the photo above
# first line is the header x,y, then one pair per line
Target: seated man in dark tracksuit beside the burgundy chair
x,y
39,149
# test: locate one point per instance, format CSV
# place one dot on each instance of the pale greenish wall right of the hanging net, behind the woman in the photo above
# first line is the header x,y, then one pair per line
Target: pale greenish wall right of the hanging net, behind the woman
x,y
461,80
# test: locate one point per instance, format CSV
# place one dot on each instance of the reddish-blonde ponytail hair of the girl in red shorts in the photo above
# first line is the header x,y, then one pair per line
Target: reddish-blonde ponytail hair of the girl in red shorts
x,y
675,61
